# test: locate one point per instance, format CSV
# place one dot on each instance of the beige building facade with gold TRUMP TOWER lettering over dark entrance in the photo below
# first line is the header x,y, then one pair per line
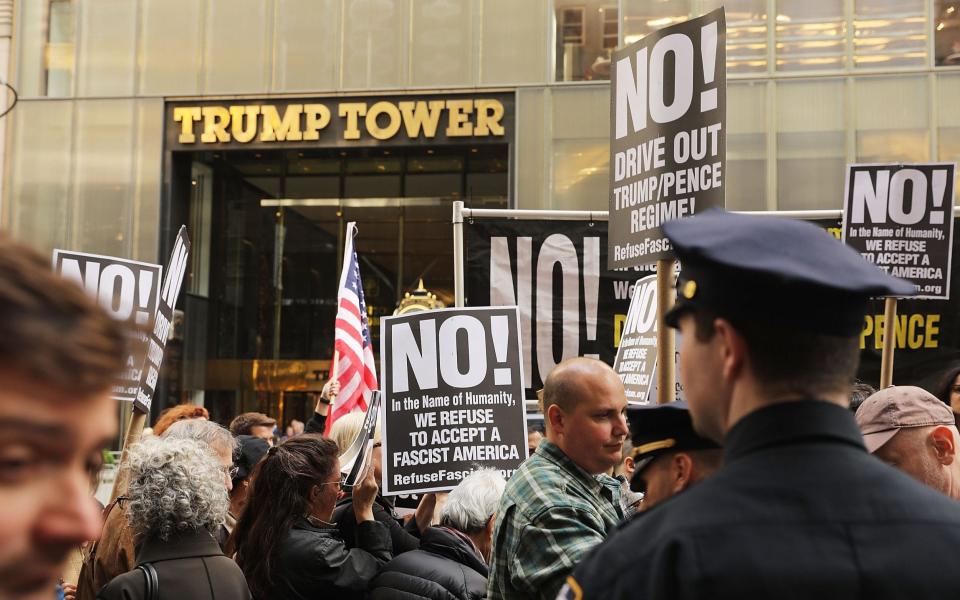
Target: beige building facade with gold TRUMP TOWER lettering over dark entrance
x,y
265,125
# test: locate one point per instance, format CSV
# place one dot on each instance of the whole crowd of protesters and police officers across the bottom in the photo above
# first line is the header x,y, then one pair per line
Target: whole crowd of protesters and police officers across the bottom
x,y
779,476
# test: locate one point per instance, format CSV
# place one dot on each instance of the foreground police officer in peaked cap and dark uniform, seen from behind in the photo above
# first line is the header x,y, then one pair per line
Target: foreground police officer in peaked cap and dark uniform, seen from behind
x,y
770,312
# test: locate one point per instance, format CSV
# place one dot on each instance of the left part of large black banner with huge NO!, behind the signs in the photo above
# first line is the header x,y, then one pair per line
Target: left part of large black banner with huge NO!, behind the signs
x,y
554,272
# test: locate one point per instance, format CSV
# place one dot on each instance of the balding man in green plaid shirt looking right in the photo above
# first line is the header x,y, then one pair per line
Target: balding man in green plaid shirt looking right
x,y
560,504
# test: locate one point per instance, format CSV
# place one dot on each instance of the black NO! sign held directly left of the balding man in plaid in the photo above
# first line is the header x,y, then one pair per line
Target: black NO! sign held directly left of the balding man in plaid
x,y
452,397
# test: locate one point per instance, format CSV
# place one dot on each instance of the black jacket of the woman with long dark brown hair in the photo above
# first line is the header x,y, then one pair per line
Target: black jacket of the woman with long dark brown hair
x,y
312,562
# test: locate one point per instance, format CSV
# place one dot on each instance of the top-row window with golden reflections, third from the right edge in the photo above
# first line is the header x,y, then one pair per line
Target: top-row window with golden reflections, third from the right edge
x,y
811,36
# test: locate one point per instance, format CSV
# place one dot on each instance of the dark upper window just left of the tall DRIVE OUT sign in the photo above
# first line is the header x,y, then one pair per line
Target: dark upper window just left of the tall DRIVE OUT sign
x,y
586,35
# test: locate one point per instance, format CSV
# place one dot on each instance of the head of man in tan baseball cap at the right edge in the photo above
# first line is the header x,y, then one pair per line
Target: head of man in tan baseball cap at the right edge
x,y
910,429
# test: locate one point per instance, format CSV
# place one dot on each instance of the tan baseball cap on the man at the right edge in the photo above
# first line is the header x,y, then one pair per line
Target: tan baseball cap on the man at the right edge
x,y
888,411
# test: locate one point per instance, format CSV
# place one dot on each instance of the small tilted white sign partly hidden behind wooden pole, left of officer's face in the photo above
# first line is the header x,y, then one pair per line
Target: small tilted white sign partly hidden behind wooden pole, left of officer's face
x,y
637,356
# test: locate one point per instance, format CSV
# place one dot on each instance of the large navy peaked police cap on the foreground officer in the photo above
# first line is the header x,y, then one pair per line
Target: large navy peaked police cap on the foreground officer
x,y
786,272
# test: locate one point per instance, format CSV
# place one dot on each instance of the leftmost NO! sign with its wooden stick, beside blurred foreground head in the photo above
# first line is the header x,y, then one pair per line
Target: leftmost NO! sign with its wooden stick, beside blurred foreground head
x,y
127,289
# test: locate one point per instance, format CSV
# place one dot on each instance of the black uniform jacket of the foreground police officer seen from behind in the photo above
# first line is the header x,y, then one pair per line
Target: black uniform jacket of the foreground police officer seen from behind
x,y
799,510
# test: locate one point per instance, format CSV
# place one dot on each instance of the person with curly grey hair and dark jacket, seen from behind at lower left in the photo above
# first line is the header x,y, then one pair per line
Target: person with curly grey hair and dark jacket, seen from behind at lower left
x,y
177,501
